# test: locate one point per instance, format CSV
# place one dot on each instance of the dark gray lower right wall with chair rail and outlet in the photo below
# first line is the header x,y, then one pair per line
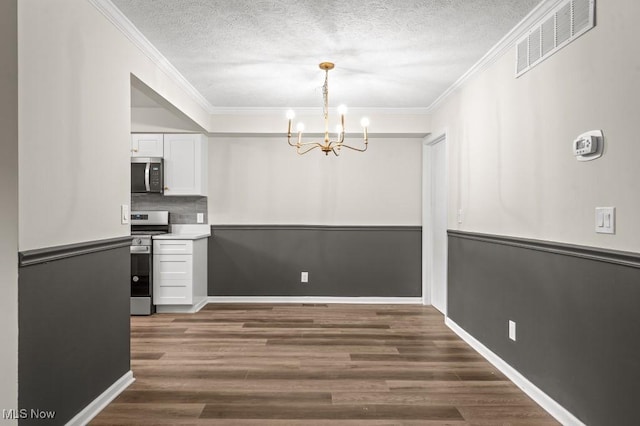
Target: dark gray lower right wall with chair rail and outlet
x,y
577,314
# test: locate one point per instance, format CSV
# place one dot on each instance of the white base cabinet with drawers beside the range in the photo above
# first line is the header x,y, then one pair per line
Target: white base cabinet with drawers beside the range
x,y
179,274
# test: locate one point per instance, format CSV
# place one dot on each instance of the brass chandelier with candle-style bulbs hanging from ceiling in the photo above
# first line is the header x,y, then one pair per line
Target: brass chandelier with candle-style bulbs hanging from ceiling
x,y
327,145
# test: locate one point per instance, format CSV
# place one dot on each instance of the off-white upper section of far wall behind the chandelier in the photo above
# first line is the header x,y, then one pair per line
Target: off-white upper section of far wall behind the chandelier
x,y
257,180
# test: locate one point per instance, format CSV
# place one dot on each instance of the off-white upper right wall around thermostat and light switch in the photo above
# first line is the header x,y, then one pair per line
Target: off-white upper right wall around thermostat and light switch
x,y
511,166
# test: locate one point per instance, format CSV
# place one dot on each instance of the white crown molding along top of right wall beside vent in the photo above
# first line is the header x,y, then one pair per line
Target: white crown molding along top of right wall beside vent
x,y
500,48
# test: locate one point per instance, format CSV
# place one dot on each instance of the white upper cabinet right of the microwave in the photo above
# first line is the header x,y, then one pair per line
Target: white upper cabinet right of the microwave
x,y
185,164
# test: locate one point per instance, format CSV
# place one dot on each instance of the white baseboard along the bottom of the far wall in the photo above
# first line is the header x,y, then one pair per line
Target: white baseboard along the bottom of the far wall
x,y
317,299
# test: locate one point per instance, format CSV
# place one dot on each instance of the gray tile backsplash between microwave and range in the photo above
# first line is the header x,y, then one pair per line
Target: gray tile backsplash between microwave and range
x,y
182,209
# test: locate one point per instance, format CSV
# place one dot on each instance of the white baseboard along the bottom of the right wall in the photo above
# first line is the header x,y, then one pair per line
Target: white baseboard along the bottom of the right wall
x,y
552,407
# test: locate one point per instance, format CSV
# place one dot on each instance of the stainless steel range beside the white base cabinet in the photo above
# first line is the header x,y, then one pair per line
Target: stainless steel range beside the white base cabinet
x,y
144,225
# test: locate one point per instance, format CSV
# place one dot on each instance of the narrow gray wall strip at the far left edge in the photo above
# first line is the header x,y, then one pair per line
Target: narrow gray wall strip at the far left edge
x,y
9,206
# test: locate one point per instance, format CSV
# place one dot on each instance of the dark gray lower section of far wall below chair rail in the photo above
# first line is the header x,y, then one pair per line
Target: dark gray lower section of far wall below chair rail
x,y
368,261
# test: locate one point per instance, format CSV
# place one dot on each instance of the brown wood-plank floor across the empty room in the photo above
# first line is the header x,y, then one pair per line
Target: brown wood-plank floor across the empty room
x,y
312,364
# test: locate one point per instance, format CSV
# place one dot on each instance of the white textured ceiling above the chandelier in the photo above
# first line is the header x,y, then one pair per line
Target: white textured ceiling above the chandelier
x,y
265,53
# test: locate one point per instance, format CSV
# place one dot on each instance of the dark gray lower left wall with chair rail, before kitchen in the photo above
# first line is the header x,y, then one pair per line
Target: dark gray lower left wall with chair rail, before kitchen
x,y
74,325
